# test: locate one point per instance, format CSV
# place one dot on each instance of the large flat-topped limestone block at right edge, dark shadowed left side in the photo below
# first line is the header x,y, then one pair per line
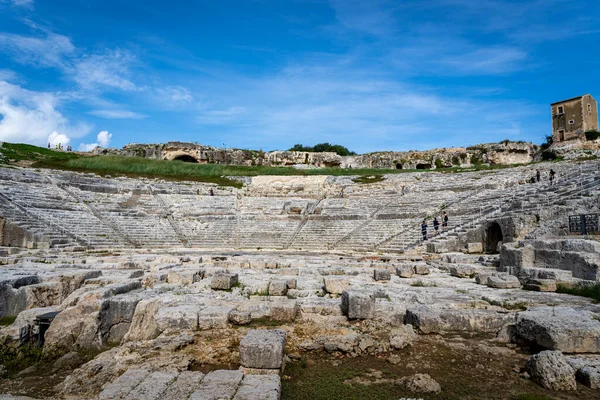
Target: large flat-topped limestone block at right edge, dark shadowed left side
x,y
560,328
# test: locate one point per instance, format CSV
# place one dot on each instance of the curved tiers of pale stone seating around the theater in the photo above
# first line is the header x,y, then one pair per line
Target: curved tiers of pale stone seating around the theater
x,y
70,208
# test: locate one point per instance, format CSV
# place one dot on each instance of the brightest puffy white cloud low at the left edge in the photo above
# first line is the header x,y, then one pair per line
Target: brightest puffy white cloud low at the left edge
x,y
30,117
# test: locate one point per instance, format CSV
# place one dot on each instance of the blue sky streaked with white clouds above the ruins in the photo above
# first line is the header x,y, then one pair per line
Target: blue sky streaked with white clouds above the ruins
x,y
370,75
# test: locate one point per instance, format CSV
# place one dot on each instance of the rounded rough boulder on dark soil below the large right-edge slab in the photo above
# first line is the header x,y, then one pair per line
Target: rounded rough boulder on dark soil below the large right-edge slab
x,y
551,370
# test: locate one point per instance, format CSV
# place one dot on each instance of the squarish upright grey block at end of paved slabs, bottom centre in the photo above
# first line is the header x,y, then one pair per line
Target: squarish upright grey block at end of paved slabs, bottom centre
x,y
262,349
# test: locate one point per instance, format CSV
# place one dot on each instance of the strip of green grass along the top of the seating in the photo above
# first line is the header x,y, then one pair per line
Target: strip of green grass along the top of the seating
x,y
38,157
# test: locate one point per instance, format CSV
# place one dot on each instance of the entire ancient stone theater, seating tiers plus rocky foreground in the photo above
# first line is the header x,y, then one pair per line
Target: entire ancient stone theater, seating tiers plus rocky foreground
x,y
147,289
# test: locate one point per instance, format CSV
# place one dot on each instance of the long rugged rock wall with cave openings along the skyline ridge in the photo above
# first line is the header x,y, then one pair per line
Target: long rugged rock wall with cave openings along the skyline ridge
x,y
504,153
